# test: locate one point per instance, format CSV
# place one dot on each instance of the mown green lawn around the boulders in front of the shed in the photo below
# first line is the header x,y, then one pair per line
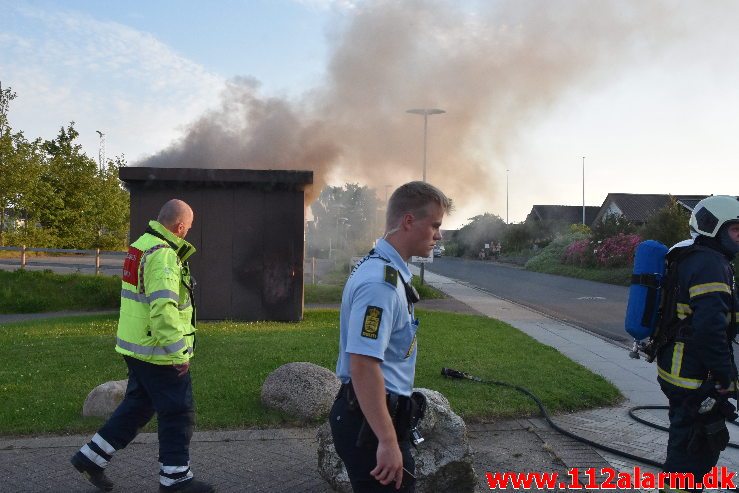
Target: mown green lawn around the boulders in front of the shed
x,y
50,366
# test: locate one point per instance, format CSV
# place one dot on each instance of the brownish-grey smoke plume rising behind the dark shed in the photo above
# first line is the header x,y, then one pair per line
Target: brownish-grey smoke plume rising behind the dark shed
x,y
493,71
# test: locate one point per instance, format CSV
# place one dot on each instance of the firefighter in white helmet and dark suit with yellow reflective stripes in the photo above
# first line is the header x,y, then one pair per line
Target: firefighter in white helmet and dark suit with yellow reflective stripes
x,y
697,366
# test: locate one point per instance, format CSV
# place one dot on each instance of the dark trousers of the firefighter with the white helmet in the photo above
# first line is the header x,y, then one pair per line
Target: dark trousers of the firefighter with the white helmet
x,y
681,425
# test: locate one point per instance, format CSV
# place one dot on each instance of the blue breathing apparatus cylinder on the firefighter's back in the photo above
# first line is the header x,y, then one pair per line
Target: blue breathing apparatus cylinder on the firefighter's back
x,y
645,290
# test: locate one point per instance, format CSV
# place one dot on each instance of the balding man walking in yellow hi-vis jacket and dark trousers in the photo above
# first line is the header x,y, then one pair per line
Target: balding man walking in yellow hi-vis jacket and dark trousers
x,y
156,335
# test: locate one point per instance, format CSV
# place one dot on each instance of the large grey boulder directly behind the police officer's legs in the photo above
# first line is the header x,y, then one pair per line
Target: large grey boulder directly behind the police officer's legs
x,y
443,460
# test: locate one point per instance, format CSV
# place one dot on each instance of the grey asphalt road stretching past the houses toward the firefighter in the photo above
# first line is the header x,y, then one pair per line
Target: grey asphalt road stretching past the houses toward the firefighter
x,y
597,307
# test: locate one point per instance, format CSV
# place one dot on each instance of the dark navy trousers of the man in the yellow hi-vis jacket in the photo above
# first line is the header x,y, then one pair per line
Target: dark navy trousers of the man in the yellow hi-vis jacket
x,y
155,388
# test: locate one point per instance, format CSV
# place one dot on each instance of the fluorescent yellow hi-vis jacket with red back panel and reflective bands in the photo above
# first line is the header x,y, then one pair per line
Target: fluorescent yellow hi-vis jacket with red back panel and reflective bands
x,y
157,318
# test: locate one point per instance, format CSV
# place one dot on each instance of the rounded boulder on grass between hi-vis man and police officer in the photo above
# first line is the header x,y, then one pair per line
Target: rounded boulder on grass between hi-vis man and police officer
x,y
301,389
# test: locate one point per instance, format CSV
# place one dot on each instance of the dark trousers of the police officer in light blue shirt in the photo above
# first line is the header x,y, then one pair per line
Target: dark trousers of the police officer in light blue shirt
x,y
359,461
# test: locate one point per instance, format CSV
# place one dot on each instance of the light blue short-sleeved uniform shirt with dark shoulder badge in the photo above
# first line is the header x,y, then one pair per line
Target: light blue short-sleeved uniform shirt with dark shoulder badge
x,y
377,319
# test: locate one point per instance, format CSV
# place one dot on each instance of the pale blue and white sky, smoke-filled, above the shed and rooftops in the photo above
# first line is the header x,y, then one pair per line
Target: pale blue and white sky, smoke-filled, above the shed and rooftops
x,y
545,101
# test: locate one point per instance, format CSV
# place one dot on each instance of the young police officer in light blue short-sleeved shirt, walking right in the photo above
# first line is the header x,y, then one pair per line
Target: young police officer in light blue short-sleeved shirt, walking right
x,y
377,344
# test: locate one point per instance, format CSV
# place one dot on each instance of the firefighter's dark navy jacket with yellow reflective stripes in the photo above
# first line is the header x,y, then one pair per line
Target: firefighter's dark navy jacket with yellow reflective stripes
x,y
704,328
